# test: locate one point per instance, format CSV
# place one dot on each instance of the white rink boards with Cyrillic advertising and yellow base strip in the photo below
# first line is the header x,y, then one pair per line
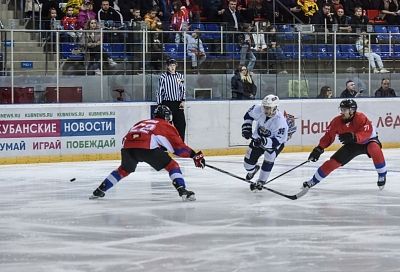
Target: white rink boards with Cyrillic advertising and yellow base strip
x,y
77,132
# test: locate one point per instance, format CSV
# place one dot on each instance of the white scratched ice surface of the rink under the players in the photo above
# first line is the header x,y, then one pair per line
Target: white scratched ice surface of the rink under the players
x,y
47,223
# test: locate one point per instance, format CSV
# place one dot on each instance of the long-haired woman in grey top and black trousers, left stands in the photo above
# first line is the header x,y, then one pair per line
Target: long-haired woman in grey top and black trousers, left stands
x,y
91,41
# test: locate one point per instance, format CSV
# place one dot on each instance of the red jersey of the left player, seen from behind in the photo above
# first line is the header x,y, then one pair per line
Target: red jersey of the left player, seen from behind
x,y
154,133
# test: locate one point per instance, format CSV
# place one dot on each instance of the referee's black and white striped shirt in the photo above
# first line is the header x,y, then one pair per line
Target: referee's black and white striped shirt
x,y
171,87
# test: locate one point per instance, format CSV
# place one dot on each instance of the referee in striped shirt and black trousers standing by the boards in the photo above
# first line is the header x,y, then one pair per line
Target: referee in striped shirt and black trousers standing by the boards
x,y
171,93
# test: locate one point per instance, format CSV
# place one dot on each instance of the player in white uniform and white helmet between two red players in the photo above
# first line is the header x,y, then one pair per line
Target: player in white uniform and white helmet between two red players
x,y
268,137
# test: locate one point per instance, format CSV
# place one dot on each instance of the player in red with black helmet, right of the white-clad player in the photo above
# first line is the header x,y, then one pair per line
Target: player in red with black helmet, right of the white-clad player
x,y
358,136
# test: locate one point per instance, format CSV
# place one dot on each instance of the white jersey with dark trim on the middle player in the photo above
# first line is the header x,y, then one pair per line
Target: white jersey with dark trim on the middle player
x,y
274,129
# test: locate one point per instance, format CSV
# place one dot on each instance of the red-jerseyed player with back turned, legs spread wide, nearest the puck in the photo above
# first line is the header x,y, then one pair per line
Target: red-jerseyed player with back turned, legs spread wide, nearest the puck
x,y
147,141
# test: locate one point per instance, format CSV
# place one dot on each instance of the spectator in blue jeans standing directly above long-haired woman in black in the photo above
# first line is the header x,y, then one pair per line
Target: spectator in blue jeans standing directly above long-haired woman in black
x,y
246,43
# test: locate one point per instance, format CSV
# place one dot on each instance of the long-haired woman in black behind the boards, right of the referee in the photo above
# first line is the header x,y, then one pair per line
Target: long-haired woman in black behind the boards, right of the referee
x,y
242,84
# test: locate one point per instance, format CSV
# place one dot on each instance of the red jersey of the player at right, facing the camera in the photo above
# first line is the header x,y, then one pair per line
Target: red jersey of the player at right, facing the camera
x,y
360,126
